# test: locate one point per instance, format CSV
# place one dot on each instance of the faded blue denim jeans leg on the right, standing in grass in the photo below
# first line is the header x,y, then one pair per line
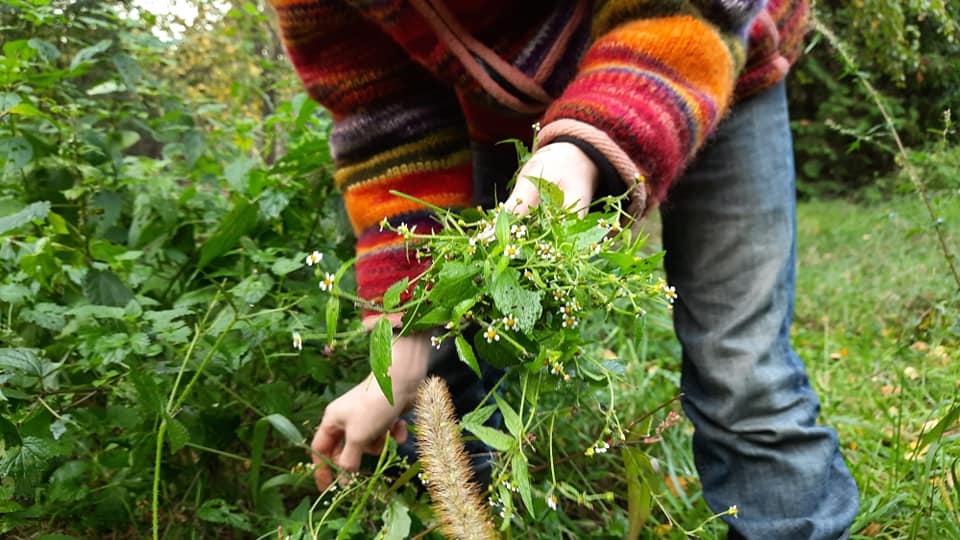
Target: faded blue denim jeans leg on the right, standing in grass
x,y
729,230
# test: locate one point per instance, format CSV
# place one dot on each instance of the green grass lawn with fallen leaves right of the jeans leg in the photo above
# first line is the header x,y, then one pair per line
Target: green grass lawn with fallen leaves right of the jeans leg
x,y
878,324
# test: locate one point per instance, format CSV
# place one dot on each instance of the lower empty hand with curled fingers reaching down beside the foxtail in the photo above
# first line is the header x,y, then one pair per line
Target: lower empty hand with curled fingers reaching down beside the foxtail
x,y
358,421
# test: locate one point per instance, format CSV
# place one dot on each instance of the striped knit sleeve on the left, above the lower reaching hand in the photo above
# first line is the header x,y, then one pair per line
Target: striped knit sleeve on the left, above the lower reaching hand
x,y
395,128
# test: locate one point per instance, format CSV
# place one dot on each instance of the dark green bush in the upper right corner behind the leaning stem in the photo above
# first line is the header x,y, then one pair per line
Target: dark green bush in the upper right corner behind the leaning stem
x,y
910,52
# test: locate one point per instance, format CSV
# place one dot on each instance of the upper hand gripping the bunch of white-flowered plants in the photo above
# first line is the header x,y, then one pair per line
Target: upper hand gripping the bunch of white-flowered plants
x,y
560,163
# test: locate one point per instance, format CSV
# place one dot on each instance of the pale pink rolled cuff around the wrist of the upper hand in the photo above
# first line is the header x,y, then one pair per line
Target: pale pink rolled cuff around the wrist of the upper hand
x,y
612,162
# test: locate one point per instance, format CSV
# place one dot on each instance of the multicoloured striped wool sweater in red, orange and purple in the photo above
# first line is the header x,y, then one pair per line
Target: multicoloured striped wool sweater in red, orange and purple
x,y
411,83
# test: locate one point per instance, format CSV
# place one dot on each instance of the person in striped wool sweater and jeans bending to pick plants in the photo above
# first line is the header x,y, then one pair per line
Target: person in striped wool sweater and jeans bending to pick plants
x,y
629,96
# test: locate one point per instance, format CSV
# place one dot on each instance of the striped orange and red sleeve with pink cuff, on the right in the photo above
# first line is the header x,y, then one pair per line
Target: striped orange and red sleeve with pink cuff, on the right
x,y
651,88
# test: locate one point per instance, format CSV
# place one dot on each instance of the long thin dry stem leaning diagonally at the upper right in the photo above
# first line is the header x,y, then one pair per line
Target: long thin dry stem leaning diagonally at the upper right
x,y
918,183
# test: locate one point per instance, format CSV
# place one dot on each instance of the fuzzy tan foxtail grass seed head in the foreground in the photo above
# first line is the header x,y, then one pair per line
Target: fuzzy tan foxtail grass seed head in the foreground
x,y
456,498
